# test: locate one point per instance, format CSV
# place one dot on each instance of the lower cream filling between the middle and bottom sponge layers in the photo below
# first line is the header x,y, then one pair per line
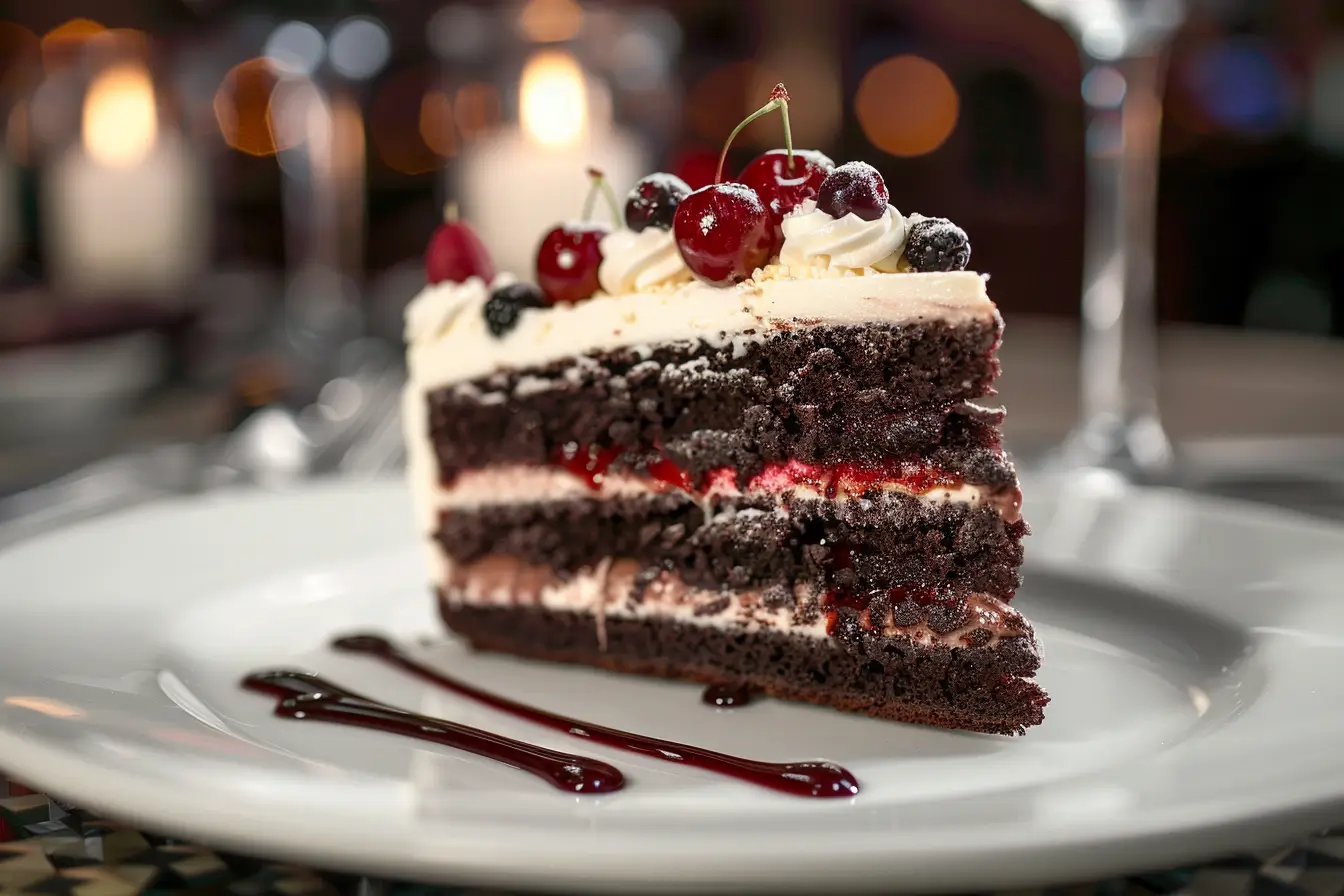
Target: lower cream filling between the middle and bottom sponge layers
x,y
608,592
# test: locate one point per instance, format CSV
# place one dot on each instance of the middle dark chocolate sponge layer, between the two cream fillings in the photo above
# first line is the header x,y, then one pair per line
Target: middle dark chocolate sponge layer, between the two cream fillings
x,y
886,541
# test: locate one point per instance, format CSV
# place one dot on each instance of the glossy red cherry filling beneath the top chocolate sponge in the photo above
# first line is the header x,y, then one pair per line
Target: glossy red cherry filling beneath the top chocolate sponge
x,y
591,464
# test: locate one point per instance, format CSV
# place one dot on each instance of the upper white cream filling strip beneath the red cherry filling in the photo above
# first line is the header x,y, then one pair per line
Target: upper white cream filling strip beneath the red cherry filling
x,y
510,484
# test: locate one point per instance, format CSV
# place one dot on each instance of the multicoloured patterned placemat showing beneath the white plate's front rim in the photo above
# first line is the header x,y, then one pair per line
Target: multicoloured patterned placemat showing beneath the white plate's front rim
x,y
52,848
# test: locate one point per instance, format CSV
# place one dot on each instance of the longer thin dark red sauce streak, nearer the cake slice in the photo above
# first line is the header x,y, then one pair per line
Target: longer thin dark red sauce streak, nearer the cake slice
x,y
815,778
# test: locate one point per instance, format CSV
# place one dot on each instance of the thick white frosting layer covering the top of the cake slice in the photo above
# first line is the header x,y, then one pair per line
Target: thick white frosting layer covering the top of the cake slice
x,y
450,343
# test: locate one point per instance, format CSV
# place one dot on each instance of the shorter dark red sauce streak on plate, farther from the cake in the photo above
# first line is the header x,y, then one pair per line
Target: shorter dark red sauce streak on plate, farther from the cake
x,y
302,695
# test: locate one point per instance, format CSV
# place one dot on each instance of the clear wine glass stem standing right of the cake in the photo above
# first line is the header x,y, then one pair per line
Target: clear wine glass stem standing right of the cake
x,y
1122,424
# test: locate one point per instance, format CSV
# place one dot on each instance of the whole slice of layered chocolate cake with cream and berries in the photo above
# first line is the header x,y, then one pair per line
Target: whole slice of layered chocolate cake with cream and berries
x,y
780,480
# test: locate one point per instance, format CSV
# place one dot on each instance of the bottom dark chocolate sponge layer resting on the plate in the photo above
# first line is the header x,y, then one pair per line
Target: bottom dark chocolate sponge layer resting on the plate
x,y
979,690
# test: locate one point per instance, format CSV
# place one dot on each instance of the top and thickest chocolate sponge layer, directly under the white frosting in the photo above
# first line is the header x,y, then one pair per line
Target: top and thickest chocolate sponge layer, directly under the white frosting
x,y
821,394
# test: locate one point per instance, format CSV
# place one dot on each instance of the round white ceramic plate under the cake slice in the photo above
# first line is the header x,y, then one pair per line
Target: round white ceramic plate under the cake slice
x,y
1194,651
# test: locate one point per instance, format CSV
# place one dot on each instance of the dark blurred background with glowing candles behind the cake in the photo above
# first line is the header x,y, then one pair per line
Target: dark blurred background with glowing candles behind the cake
x,y
212,208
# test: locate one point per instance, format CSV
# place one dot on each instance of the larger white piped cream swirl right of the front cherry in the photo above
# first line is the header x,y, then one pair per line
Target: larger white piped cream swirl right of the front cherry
x,y
812,237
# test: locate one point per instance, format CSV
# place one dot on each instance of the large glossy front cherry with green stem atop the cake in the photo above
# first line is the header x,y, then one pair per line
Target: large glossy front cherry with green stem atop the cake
x,y
724,230
